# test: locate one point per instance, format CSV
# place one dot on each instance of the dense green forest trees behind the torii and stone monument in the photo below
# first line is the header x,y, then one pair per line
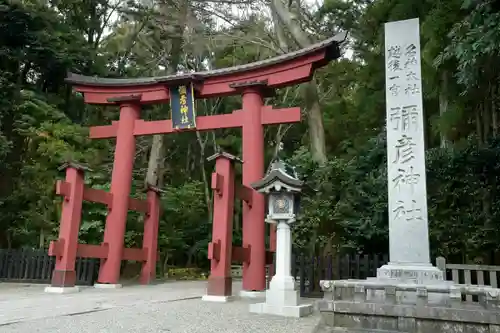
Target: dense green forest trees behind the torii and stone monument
x,y
339,147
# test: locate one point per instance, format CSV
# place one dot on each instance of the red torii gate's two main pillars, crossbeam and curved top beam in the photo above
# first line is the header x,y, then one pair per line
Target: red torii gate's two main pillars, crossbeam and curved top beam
x,y
253,82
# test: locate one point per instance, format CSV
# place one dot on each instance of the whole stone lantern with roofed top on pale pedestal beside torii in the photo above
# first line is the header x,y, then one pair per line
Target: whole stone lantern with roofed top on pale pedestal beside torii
x,y
282,188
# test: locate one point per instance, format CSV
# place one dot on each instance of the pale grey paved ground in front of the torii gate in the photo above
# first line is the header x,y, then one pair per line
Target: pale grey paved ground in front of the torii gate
x,y
172,307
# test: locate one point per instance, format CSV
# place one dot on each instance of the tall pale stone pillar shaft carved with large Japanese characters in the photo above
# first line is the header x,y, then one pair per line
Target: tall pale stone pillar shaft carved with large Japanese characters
x,y
405,140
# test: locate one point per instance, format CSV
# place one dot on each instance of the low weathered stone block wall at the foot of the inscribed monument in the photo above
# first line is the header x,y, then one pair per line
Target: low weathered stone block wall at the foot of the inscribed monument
x,y
349,307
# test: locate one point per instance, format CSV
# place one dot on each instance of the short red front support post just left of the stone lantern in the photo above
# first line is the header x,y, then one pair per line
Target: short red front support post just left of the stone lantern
x,y
222,229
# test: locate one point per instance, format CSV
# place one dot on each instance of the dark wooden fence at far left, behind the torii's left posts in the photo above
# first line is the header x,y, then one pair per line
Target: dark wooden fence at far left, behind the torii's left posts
x,y
36,266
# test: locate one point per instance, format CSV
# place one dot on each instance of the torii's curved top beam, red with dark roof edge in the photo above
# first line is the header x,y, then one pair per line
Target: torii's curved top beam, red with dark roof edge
x,y
285,70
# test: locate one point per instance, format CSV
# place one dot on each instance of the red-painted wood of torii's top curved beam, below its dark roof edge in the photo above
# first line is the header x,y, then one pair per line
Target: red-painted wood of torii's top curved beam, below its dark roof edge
x,y
291,72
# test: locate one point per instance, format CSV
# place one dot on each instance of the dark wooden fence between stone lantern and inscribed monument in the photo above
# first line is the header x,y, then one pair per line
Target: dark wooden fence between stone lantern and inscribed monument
x,y
310,270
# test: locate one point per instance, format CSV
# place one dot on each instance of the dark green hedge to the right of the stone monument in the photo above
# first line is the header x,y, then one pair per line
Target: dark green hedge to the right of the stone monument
x,y
463,206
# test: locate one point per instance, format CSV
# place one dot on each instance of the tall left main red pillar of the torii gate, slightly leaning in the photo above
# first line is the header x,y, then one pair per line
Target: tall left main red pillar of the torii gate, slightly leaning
x,y
121,181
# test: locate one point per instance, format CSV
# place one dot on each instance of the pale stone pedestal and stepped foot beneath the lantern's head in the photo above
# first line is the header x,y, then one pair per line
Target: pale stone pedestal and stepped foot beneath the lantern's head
x,y
282,298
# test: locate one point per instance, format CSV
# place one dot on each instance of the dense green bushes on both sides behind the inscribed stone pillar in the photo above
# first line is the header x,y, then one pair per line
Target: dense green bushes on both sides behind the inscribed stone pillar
x,y
351,202
